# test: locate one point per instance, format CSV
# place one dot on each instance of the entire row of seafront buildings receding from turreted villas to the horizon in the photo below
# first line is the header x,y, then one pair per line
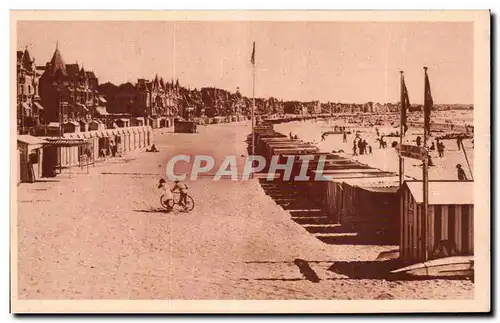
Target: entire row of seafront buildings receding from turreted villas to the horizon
x,y
57,93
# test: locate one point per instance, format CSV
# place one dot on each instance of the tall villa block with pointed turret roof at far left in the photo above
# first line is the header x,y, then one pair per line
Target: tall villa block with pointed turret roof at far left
x,y
55,92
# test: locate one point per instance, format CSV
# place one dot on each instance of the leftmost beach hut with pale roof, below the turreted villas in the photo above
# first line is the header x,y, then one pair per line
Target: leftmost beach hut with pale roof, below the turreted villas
x,y
30,158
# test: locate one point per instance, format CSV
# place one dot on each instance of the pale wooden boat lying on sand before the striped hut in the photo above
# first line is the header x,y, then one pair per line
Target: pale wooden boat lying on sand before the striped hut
x,y
443,267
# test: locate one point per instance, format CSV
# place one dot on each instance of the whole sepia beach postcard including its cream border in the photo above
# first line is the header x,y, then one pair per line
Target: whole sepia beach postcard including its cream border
x,y
250,161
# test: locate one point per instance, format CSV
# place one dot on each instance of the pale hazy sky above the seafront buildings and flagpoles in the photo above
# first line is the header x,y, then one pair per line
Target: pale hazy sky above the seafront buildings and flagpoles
x,y
350,62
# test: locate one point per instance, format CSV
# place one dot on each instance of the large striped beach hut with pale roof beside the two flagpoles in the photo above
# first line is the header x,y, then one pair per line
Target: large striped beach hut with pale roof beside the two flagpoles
x,y
450,220
